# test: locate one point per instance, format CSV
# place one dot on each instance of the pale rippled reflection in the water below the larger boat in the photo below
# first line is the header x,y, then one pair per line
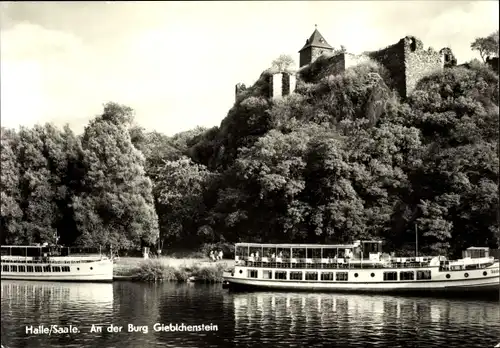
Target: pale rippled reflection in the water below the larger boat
x,y
285,319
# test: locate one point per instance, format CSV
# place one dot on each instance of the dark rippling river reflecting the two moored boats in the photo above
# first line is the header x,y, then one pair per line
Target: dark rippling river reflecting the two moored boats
x,y
31,310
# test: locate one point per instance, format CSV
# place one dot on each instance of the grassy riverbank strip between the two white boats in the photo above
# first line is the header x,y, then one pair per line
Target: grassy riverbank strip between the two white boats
x,y
171,269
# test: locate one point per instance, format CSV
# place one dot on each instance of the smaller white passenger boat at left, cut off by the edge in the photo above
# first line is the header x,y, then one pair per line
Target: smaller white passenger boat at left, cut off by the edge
x,y
55,264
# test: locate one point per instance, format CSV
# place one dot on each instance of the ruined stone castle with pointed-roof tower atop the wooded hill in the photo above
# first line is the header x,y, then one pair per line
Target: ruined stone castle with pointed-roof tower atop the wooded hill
x,y
406,61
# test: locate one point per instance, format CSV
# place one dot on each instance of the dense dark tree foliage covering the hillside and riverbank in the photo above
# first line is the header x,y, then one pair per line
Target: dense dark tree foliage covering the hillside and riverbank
x,y
343,158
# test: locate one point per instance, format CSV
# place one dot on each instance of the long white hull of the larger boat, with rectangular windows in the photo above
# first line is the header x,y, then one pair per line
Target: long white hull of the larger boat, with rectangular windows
x,y
485,280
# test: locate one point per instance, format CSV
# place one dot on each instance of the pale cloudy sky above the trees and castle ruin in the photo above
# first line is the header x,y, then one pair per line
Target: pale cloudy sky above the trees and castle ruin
x,y
176,63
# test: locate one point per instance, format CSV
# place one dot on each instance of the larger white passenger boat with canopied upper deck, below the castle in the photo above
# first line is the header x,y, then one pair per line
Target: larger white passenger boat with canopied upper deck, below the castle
x,y
358,267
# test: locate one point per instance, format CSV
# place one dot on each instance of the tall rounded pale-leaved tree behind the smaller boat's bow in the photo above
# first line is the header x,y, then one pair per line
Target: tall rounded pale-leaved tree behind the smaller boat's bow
x,y
116,206
